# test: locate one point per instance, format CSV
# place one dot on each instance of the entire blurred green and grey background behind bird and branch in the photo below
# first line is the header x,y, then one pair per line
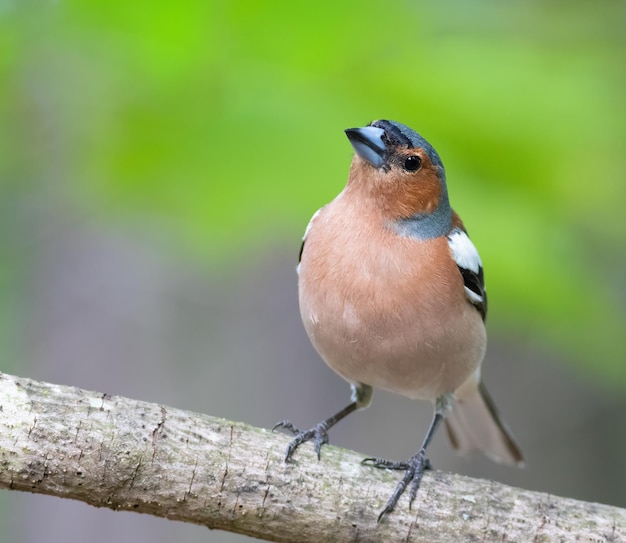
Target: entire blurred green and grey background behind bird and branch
x,y
158,165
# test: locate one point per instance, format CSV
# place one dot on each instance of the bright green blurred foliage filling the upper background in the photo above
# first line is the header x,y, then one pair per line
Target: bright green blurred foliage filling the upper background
x,y
217,127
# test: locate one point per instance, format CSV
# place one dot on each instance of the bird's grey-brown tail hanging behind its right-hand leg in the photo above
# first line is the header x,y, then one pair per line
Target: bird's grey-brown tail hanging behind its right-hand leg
x,y
474,424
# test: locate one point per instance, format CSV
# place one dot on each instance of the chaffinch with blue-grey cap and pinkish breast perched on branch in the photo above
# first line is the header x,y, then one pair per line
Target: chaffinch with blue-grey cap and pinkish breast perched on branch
x,y
392,296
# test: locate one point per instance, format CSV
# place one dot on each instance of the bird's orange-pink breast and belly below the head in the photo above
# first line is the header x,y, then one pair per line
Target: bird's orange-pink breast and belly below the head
x,y
386,310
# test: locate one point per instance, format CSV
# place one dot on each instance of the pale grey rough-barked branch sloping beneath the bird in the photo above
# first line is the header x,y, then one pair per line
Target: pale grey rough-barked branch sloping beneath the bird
x,y
130,455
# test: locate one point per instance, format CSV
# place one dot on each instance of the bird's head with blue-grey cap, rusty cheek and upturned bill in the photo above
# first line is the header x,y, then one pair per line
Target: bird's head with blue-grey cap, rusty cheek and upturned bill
x,y
404,174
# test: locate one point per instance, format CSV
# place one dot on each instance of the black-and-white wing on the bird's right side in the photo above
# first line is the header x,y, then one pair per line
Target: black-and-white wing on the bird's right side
x,y
468,261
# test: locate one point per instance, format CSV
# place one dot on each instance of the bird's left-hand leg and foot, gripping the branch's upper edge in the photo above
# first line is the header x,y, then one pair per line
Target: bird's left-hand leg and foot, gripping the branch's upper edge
x,y
361,397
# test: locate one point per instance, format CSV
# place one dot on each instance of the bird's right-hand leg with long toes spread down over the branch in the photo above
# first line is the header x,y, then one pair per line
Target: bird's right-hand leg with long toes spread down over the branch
x,y
414,468
